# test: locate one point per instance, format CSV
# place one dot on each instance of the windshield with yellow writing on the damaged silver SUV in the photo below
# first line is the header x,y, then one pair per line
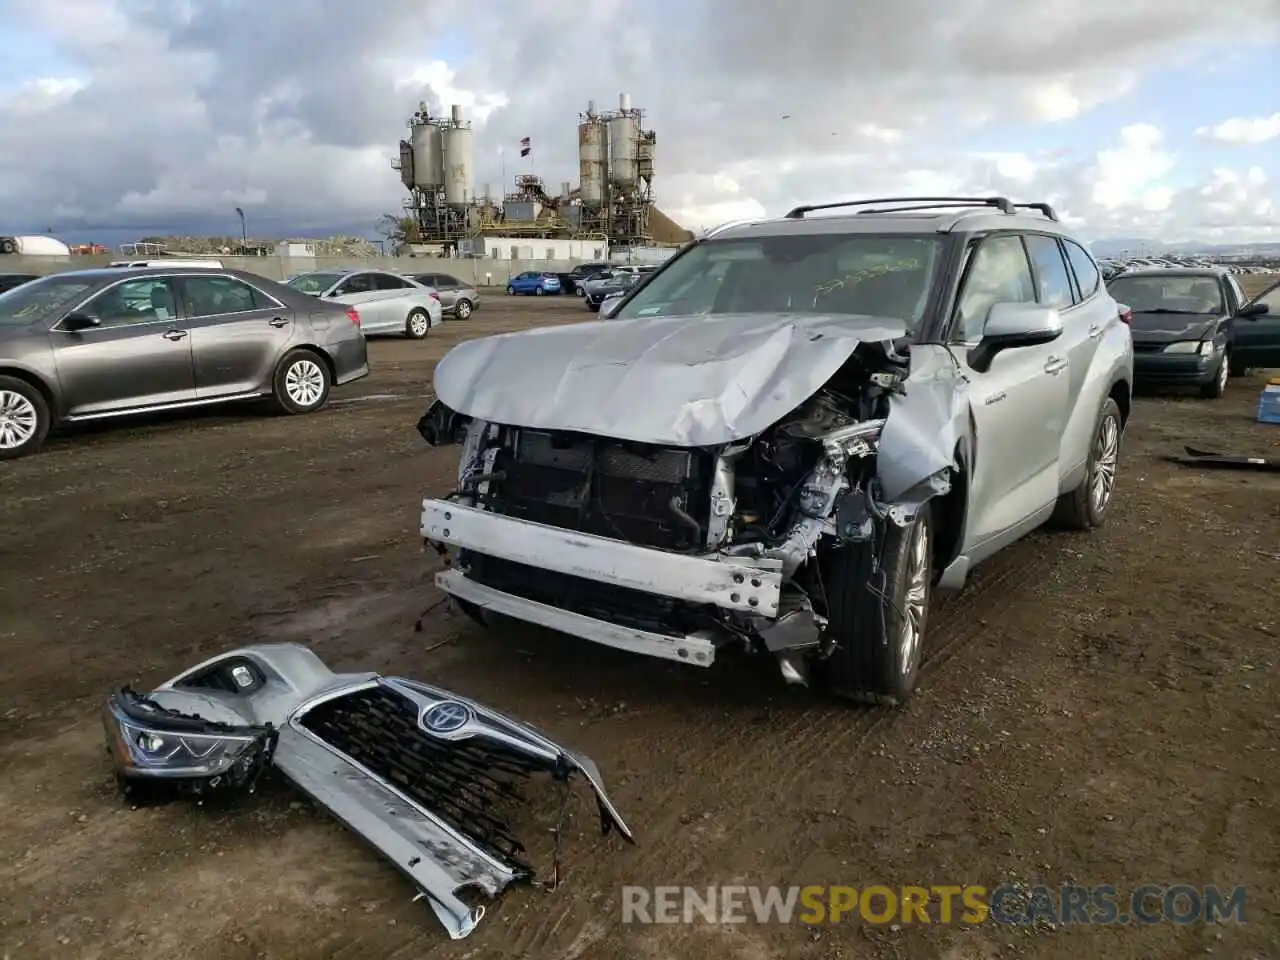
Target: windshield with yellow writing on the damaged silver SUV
x,y
825,273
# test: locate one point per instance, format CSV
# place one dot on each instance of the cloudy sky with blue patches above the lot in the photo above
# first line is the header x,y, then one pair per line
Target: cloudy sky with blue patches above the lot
x,y
1137,118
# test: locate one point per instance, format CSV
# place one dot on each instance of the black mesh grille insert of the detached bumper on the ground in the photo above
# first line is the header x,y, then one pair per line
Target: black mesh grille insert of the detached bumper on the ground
x,y
473,785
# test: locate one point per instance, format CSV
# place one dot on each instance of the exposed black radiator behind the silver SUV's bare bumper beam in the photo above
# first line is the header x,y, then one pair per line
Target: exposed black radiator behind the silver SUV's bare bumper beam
x,y
643,495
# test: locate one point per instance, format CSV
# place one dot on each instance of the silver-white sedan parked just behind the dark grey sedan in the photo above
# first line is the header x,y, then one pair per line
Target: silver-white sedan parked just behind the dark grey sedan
x,y
386,303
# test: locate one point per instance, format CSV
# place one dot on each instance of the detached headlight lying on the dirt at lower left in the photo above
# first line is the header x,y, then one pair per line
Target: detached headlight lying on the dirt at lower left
x,y
149,742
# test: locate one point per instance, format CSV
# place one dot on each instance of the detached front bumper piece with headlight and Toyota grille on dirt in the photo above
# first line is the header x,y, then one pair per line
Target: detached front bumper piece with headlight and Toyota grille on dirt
x,y
436,783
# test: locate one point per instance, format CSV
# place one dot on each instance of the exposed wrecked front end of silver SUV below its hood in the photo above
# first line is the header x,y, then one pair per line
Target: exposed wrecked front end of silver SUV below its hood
x,y
771,502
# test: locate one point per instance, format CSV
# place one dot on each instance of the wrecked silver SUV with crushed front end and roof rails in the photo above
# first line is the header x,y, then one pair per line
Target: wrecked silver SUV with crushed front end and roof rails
x,y
787,437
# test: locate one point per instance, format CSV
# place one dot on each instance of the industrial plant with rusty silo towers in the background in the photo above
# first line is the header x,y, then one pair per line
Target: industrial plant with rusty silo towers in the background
x,y
611,207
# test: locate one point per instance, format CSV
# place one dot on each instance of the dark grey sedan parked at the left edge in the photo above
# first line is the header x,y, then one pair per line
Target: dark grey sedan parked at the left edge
x,y
99,344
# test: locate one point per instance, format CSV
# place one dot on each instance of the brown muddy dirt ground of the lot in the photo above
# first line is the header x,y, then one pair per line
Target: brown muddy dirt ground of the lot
x,y
1095,708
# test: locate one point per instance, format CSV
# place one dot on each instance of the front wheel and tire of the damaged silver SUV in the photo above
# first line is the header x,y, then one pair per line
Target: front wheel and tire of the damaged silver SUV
x,y
879,612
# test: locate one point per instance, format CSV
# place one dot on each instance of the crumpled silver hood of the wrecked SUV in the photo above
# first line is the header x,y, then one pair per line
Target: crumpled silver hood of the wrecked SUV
x,y
685,382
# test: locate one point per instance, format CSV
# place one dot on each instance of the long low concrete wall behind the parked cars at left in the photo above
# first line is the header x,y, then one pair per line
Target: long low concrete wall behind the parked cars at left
x,y
479,272
